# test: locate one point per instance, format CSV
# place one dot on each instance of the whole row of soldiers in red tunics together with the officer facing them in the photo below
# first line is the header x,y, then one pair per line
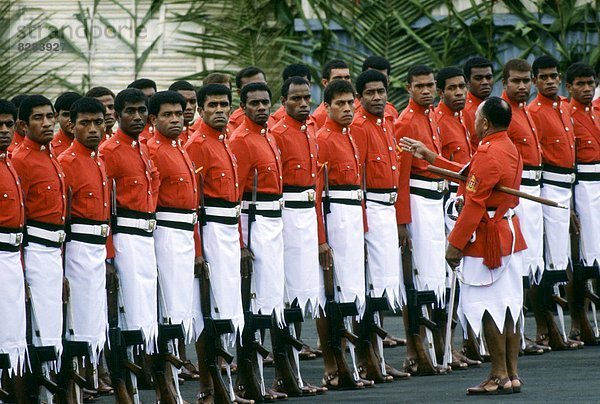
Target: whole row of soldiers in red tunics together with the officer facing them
x,y
215,229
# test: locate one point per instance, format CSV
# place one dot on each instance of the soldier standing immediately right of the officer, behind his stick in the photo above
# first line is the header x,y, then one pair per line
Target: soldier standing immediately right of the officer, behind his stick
x,y
516,78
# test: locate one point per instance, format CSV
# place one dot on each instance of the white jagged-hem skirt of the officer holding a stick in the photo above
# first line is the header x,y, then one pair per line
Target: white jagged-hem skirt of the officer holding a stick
x,y
492,291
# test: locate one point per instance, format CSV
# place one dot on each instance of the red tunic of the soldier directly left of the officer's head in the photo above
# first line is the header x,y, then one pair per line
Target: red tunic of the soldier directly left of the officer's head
x,y
456,139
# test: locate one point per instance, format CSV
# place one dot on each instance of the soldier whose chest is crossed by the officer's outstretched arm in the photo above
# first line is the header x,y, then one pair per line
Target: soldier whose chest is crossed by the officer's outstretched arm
x,y
421,213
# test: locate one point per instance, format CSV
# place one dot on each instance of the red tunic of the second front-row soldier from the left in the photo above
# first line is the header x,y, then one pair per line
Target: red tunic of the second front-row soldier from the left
x,y
43,182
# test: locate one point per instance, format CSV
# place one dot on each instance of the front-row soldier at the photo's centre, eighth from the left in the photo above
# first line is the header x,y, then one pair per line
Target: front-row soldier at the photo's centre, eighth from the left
x,y
295,136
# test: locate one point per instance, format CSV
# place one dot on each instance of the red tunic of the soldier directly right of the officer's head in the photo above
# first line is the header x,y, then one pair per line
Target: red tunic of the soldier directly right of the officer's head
x,y
523,133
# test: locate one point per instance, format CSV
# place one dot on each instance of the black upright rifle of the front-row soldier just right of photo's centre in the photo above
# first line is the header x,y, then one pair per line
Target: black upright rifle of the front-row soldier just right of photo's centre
x,y
335,311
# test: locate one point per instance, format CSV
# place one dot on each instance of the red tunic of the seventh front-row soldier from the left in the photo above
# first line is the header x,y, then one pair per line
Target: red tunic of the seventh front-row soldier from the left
x,y
255,148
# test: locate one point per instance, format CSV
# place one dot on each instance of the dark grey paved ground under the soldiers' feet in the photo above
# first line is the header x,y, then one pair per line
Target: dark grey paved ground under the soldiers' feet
x,y
553,377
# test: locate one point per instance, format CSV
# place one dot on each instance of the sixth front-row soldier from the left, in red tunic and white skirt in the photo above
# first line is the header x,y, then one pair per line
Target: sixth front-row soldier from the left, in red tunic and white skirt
x,y
210,151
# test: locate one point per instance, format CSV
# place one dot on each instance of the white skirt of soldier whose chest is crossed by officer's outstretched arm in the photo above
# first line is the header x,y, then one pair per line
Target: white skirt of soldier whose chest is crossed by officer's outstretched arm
x,y
428,237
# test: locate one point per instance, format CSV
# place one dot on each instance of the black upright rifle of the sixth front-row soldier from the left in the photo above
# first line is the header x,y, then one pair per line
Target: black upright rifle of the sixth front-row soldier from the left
x,y
213,328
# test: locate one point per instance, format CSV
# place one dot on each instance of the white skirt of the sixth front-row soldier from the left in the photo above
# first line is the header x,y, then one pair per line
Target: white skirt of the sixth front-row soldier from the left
x,y
222,249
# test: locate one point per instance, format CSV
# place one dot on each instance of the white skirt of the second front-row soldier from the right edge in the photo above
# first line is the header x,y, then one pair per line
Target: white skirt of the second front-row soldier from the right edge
x,y
557,241
